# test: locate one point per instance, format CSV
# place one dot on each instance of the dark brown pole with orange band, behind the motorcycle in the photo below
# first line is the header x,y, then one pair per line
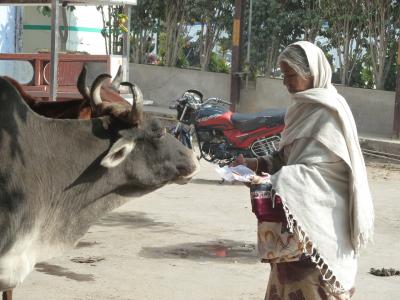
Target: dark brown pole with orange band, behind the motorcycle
x,y
236,47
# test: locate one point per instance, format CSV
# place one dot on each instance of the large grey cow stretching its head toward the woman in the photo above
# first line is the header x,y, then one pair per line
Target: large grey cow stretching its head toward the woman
x,y
57,177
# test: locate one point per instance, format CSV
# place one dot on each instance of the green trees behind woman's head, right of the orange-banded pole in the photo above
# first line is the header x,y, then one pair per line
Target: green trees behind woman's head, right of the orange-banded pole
x,y
361,34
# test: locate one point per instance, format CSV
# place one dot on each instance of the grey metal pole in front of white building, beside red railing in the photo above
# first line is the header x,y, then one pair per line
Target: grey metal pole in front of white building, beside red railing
x,y
54,49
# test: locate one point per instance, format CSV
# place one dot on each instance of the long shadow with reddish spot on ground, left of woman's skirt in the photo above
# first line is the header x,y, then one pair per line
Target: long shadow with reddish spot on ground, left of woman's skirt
x,y
220,250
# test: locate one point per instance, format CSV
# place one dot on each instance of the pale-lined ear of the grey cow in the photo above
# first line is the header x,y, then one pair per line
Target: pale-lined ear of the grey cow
x,y
118,152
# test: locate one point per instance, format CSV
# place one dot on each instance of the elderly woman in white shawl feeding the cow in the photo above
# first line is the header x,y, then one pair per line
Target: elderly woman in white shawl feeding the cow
x,y
319,187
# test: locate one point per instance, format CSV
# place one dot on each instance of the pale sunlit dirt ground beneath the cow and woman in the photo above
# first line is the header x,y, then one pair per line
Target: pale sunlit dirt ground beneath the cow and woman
x,y
197,241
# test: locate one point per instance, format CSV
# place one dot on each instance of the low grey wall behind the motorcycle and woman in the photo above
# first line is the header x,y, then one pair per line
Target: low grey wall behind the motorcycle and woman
x,y
373,110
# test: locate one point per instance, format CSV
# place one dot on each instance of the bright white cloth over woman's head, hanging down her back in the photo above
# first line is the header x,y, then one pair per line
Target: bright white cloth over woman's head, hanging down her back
x,y
361,207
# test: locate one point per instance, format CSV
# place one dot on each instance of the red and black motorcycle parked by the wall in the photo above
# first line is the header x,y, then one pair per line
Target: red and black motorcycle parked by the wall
x,y
221,134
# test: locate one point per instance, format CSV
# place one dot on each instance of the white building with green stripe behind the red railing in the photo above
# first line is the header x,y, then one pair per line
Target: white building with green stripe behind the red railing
x,y
24,29
